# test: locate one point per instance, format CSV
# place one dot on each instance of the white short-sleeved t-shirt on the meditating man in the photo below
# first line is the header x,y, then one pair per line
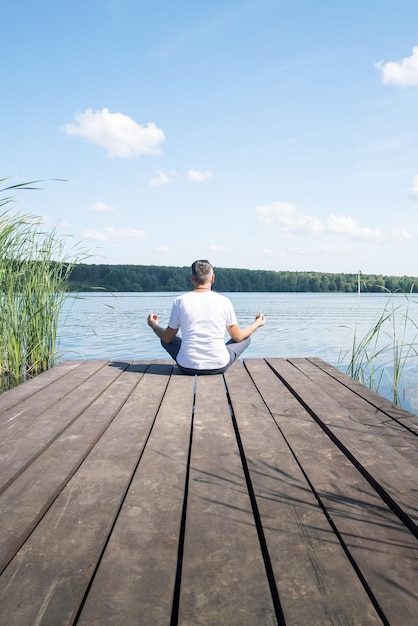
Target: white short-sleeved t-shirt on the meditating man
x,y
202,319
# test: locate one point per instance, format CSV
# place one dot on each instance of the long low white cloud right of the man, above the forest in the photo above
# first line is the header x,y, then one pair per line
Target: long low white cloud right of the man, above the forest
x,y
289,220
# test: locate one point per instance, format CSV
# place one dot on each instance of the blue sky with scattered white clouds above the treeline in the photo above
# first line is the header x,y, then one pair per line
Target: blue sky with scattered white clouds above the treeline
x,y
260,134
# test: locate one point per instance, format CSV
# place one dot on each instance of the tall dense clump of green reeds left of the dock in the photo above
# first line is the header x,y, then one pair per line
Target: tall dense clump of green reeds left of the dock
x,y
34,269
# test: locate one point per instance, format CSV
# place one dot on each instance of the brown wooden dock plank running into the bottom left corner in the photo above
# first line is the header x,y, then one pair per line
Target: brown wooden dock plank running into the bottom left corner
x,y
46,581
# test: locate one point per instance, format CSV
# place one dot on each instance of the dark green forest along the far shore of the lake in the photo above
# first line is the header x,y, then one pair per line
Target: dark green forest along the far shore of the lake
x,y
137,278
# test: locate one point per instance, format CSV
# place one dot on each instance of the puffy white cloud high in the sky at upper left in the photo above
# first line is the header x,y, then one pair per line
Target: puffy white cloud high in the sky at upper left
x,y
117,133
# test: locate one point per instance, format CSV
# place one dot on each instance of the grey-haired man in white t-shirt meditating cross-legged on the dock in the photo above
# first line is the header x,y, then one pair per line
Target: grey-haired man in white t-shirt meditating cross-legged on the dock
x,y
203,315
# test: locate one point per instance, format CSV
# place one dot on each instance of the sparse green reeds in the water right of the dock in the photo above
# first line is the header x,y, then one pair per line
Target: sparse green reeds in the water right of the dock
x,y
381,355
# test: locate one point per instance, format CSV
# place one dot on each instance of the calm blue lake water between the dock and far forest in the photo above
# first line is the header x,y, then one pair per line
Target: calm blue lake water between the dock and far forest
x,y
298,325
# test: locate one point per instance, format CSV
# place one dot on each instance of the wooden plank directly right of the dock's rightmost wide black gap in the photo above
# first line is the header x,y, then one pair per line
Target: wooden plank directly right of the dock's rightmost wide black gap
x,y
390,473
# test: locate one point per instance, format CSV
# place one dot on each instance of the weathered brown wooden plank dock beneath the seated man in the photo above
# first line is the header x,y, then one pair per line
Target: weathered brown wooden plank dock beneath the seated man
x,y
281,492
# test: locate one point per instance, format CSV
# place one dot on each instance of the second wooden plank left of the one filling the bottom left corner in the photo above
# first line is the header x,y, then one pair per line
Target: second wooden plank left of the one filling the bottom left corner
x,y
17,452
